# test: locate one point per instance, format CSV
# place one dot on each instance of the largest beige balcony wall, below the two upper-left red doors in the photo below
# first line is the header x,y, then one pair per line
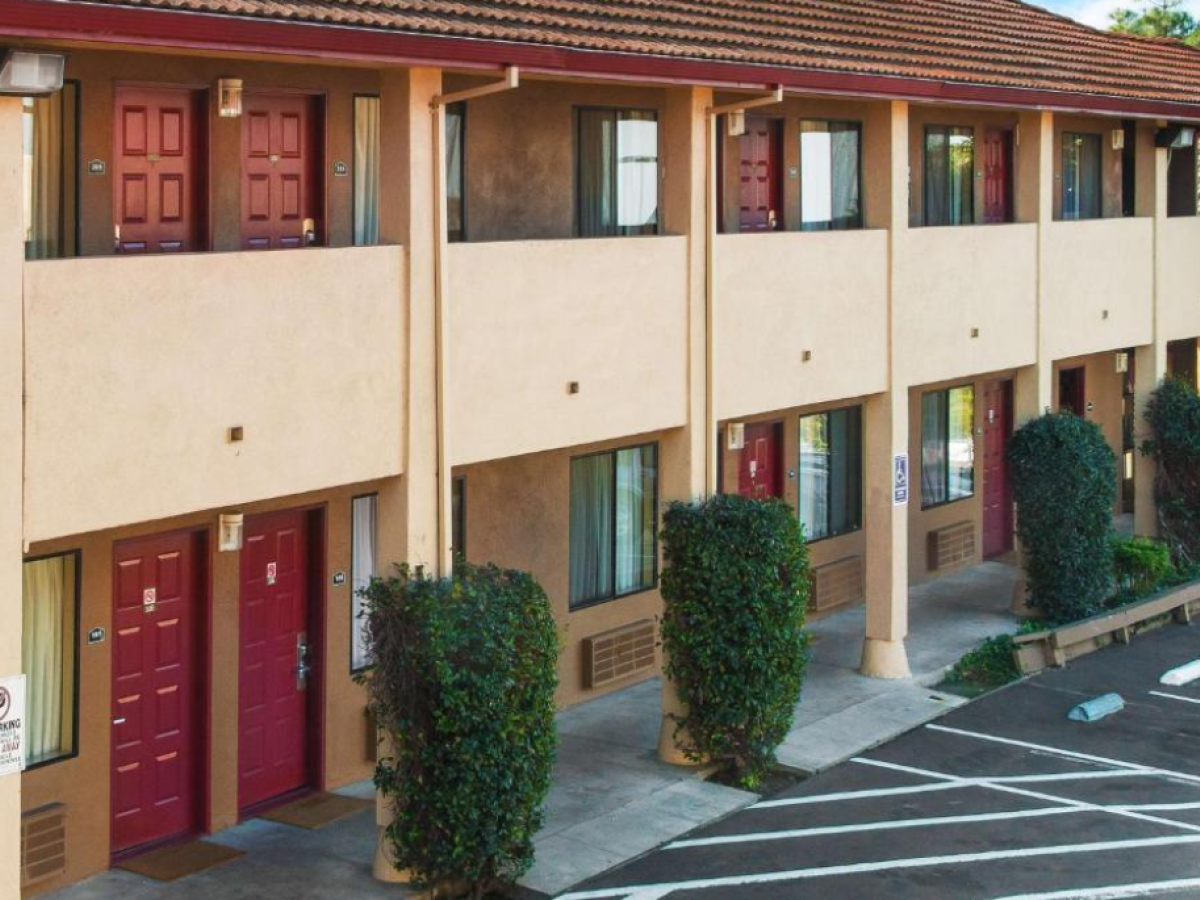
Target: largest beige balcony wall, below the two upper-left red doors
x,y
136,368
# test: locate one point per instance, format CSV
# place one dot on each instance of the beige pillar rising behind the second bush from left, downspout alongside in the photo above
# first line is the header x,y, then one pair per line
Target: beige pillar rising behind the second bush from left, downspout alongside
x,y
689,455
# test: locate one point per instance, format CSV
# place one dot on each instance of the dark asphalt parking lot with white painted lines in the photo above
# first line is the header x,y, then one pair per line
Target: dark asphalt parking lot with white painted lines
x,y
1004,800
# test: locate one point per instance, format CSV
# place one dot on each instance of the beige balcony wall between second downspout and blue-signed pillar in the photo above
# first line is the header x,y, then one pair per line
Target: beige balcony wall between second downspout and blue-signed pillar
x,y
787,293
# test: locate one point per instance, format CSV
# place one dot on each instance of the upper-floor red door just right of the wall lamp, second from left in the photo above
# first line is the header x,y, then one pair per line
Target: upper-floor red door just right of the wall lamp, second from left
x,y
283,191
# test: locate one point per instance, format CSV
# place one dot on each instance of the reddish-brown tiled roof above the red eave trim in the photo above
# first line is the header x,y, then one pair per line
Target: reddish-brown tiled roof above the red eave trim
x,y
1004,44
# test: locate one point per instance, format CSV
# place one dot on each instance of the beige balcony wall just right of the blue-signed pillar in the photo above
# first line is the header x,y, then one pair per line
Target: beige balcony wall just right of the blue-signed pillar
x,y
950,281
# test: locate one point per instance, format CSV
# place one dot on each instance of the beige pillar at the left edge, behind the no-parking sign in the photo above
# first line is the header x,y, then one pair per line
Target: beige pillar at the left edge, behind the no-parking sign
x,y
11,454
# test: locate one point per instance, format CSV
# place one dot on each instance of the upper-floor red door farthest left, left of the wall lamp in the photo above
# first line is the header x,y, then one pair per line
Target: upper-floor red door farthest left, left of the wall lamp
x,y
159,170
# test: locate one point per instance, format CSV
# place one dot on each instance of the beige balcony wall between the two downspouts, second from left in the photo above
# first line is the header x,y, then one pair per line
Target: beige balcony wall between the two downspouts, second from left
x,y
530,317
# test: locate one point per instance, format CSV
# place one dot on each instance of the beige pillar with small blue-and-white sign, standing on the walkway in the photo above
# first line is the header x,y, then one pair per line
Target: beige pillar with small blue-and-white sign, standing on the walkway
x,y
886,440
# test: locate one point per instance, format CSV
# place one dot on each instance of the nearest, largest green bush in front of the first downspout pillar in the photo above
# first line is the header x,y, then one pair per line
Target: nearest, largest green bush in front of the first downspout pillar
x,y
464,692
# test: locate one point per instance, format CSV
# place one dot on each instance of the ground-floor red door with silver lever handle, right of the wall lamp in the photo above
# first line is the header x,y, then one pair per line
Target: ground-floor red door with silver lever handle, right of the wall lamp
x,y
273,689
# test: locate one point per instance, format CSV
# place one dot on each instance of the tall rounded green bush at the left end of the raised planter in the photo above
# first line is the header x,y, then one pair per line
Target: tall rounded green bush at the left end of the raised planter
x,y
1065,487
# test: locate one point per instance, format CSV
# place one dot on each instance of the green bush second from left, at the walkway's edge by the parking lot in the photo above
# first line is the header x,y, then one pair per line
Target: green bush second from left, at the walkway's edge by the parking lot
x,y
735,586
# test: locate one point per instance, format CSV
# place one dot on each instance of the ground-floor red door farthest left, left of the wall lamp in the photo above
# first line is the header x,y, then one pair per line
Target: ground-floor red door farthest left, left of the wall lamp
x,y
155,735
